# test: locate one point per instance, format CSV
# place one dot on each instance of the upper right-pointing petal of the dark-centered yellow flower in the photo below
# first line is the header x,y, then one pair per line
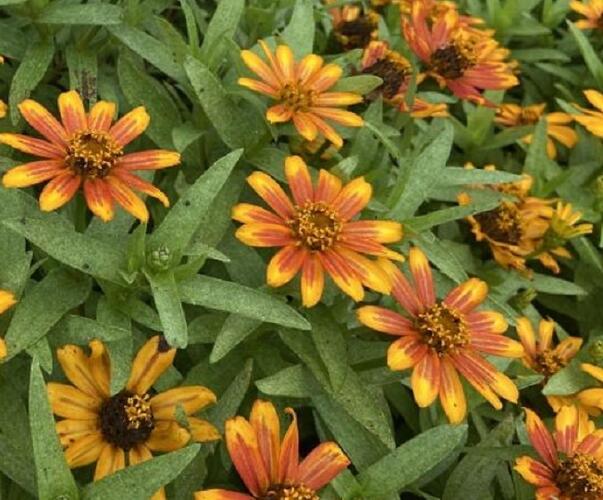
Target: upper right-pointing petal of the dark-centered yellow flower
x,y
191,398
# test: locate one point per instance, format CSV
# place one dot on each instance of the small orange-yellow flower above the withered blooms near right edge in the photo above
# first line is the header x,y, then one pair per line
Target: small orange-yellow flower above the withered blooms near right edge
x,y
513,115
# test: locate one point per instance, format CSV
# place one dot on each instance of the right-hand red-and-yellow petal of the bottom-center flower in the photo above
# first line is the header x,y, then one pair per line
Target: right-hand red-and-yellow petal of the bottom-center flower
x,y
322,465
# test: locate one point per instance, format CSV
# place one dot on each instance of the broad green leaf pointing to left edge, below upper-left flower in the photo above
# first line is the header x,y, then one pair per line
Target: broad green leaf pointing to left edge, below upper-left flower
x,y
89,255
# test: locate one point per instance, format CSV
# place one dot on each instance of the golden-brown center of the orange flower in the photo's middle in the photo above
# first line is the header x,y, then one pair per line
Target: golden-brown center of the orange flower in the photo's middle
x,y
316,225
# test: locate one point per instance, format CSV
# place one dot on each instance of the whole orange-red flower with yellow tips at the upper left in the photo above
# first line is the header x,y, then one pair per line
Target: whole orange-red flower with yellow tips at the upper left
x,y
86,151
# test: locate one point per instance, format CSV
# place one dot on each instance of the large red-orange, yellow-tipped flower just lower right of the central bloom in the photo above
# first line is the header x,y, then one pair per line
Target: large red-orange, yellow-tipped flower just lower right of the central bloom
x,y
444,338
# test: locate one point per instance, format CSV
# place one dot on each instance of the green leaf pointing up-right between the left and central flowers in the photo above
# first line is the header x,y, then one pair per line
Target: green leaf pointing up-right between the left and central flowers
x,y
182,222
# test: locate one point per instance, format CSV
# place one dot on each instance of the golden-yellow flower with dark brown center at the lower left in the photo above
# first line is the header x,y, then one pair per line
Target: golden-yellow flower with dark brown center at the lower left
x,y
126,427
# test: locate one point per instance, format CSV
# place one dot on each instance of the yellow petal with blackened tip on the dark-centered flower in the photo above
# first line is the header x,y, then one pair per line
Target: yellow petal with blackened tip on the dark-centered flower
x,y
154,357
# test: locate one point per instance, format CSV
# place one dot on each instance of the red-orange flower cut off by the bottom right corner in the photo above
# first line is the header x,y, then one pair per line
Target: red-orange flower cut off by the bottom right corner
x,y
570,465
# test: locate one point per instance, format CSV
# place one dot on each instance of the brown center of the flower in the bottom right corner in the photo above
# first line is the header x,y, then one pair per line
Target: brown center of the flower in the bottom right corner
x,y
580,476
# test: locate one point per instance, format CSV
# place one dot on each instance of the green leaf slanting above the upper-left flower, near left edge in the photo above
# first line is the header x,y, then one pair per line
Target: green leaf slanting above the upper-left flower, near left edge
x,y
29,73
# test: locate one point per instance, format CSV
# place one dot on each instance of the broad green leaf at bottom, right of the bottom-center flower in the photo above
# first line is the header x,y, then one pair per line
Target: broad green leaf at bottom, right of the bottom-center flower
x,y
412,460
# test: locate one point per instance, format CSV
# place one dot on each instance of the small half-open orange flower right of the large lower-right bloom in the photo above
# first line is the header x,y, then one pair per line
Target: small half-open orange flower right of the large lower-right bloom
x,y
540,355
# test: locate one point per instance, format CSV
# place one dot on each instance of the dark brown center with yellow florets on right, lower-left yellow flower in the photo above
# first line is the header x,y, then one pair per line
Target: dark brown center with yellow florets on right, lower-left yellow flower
x,y
126,419
